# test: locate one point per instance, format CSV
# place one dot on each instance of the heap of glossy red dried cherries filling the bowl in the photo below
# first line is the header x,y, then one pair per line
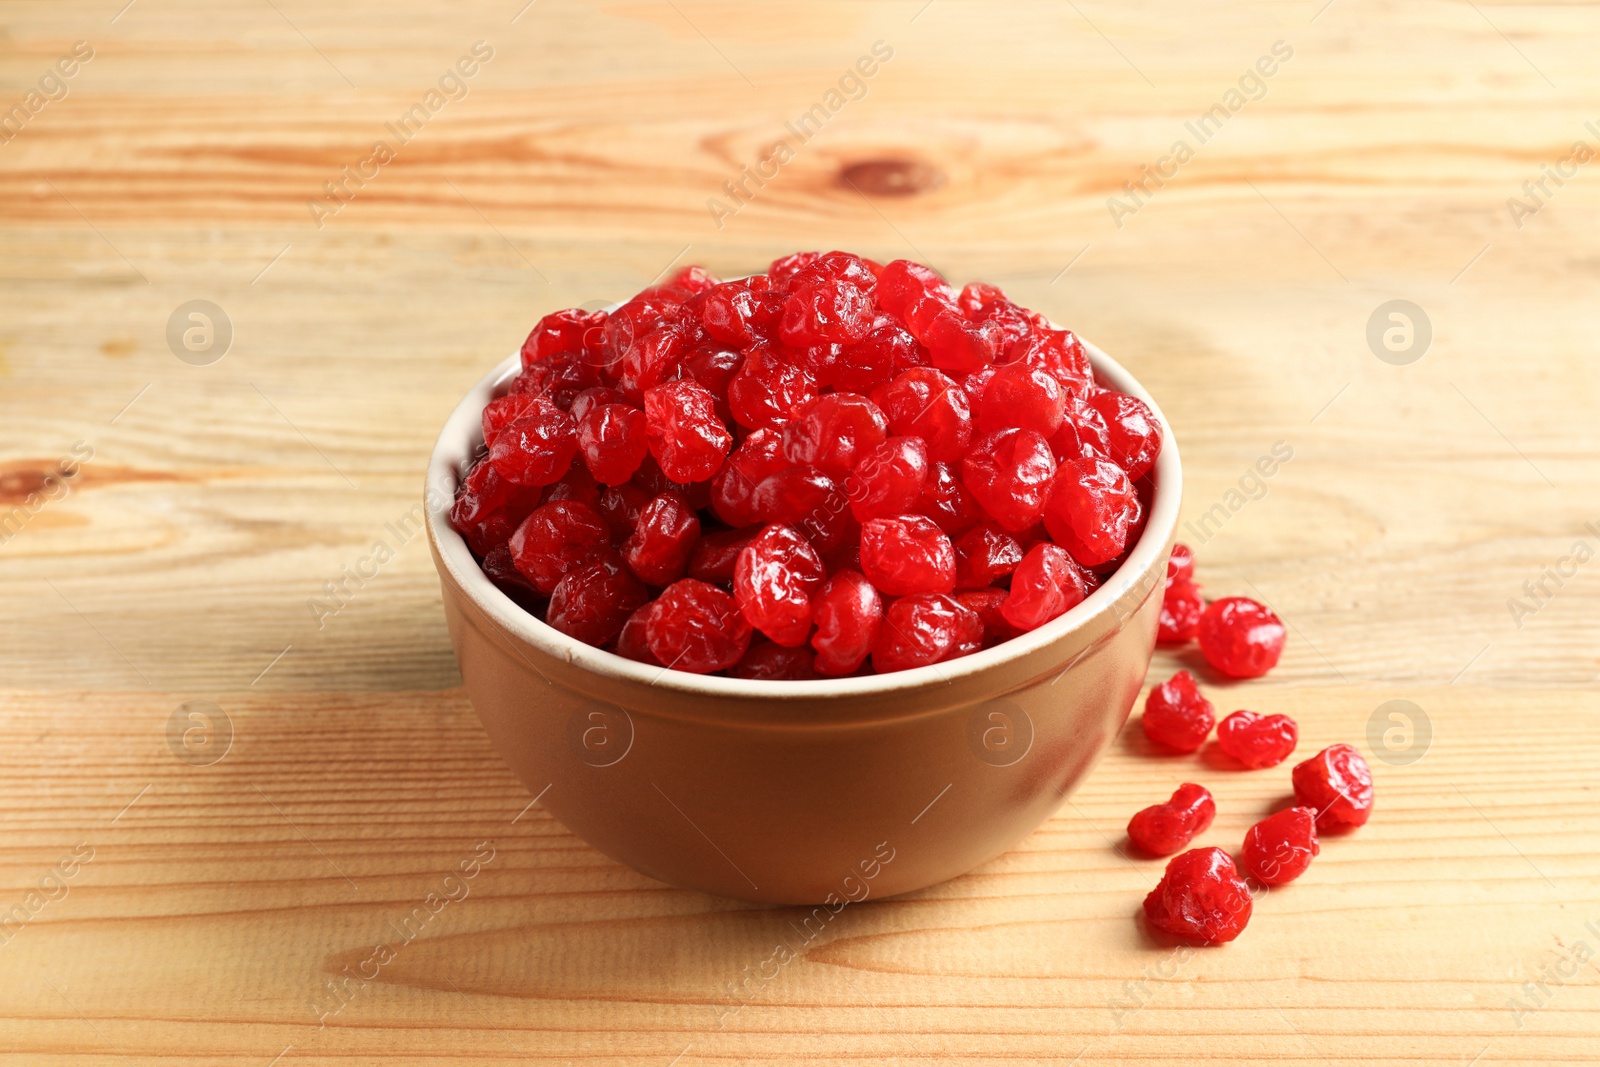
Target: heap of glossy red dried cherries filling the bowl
x,y
828,470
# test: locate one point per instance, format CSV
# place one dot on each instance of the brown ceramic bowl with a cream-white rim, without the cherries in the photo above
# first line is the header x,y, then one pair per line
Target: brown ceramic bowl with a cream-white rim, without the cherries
x,y
802,793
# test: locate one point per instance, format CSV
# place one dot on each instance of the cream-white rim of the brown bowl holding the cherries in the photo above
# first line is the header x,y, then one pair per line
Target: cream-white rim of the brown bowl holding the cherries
x,y
463,434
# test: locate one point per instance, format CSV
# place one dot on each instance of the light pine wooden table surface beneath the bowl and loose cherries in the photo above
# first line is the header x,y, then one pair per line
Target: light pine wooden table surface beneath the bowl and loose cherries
x,y
1431,540
